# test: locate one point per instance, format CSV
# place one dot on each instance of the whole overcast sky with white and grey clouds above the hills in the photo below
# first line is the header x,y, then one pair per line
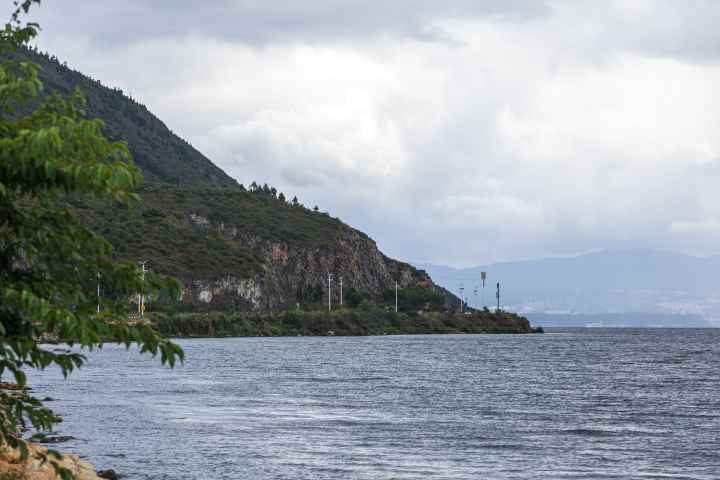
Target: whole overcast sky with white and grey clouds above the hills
x,y
451,132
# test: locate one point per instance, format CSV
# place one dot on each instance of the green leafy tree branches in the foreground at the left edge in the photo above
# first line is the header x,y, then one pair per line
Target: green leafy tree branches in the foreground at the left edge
x,y
49,263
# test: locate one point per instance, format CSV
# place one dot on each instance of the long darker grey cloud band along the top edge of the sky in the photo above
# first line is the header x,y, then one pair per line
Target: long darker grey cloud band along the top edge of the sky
x,y
272,21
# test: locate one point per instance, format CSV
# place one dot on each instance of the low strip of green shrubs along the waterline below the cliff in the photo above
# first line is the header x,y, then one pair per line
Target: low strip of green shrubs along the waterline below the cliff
x,y
336,323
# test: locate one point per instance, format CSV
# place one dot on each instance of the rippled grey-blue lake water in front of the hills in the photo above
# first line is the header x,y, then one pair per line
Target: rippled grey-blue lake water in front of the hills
x,y
574,403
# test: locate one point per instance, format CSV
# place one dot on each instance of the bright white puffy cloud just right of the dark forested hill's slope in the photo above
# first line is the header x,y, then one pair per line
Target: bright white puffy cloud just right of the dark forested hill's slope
x,y
338,140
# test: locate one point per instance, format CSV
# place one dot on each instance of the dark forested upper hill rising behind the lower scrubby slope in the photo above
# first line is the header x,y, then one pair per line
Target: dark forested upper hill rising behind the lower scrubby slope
x,y
162,156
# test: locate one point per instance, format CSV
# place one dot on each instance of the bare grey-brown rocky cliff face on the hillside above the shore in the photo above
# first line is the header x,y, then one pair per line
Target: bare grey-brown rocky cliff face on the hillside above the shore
x,y
286,267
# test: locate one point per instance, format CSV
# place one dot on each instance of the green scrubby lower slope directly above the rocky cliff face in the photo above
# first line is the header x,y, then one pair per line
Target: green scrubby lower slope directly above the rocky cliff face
x,y
155,229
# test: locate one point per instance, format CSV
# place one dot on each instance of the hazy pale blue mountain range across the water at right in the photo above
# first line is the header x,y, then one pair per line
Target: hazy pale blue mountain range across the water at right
x,y
608,281
